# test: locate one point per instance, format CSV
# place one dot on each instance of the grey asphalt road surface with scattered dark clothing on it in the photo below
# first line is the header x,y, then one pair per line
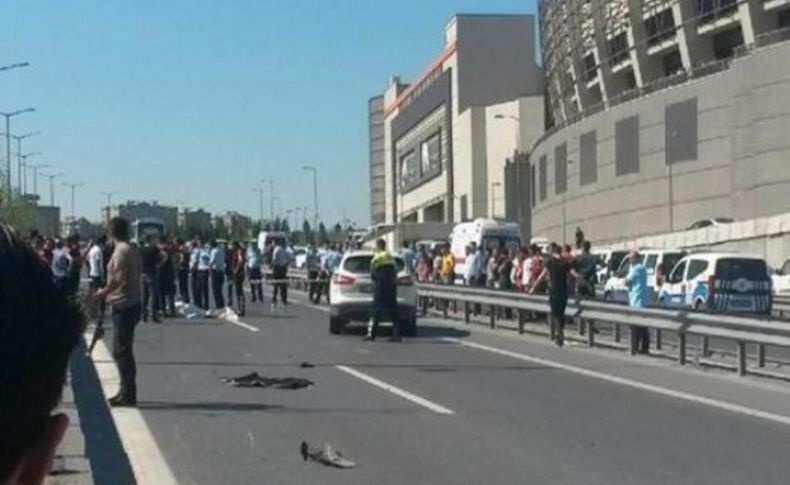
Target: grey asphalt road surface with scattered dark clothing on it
x,y
514,420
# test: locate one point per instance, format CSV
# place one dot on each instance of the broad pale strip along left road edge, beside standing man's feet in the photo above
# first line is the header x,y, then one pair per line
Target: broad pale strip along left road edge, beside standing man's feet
x,y
148,462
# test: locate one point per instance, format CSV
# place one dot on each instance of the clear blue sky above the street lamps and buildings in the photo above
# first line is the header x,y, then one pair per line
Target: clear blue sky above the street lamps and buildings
x,y
193,102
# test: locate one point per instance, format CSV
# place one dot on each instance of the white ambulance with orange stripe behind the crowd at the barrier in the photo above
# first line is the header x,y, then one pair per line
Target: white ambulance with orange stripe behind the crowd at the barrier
x,y
486,233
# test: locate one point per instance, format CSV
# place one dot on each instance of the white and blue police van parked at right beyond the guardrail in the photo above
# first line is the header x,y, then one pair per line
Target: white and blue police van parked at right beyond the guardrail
x,y
719,282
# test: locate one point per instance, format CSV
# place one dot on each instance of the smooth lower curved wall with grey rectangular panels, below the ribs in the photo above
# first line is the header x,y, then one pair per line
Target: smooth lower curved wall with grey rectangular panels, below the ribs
x,y
715,146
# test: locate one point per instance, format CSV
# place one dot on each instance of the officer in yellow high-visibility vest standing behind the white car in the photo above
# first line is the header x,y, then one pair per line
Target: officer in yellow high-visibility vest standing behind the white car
x,y
385,291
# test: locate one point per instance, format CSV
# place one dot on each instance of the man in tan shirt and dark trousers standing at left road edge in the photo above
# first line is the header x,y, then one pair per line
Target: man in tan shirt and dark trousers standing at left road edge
x,y
123,293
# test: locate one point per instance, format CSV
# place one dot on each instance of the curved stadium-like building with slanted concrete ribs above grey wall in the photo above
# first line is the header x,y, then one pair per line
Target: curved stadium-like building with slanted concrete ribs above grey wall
x,y
664,113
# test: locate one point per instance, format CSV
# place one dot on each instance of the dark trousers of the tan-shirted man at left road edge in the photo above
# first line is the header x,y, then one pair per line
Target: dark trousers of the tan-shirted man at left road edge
x,y
124,321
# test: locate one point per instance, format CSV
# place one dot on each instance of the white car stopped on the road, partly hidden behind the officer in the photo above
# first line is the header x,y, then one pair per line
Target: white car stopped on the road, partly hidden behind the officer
x,y
351,294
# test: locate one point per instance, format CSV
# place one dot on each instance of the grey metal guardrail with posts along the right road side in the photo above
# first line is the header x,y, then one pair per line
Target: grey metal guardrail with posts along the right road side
x,y
741,330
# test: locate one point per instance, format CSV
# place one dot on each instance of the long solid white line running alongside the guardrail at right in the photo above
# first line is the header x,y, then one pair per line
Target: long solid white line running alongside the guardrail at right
x,y
727,406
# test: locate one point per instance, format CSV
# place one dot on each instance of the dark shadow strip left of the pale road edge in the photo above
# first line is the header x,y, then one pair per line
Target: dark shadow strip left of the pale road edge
x,y
108,461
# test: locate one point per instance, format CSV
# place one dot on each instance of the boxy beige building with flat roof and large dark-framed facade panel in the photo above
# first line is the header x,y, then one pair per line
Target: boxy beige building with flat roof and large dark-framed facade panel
x,y
447,135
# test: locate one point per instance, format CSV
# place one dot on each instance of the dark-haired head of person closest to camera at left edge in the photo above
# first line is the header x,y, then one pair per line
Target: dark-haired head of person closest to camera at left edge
x,y
40,326
